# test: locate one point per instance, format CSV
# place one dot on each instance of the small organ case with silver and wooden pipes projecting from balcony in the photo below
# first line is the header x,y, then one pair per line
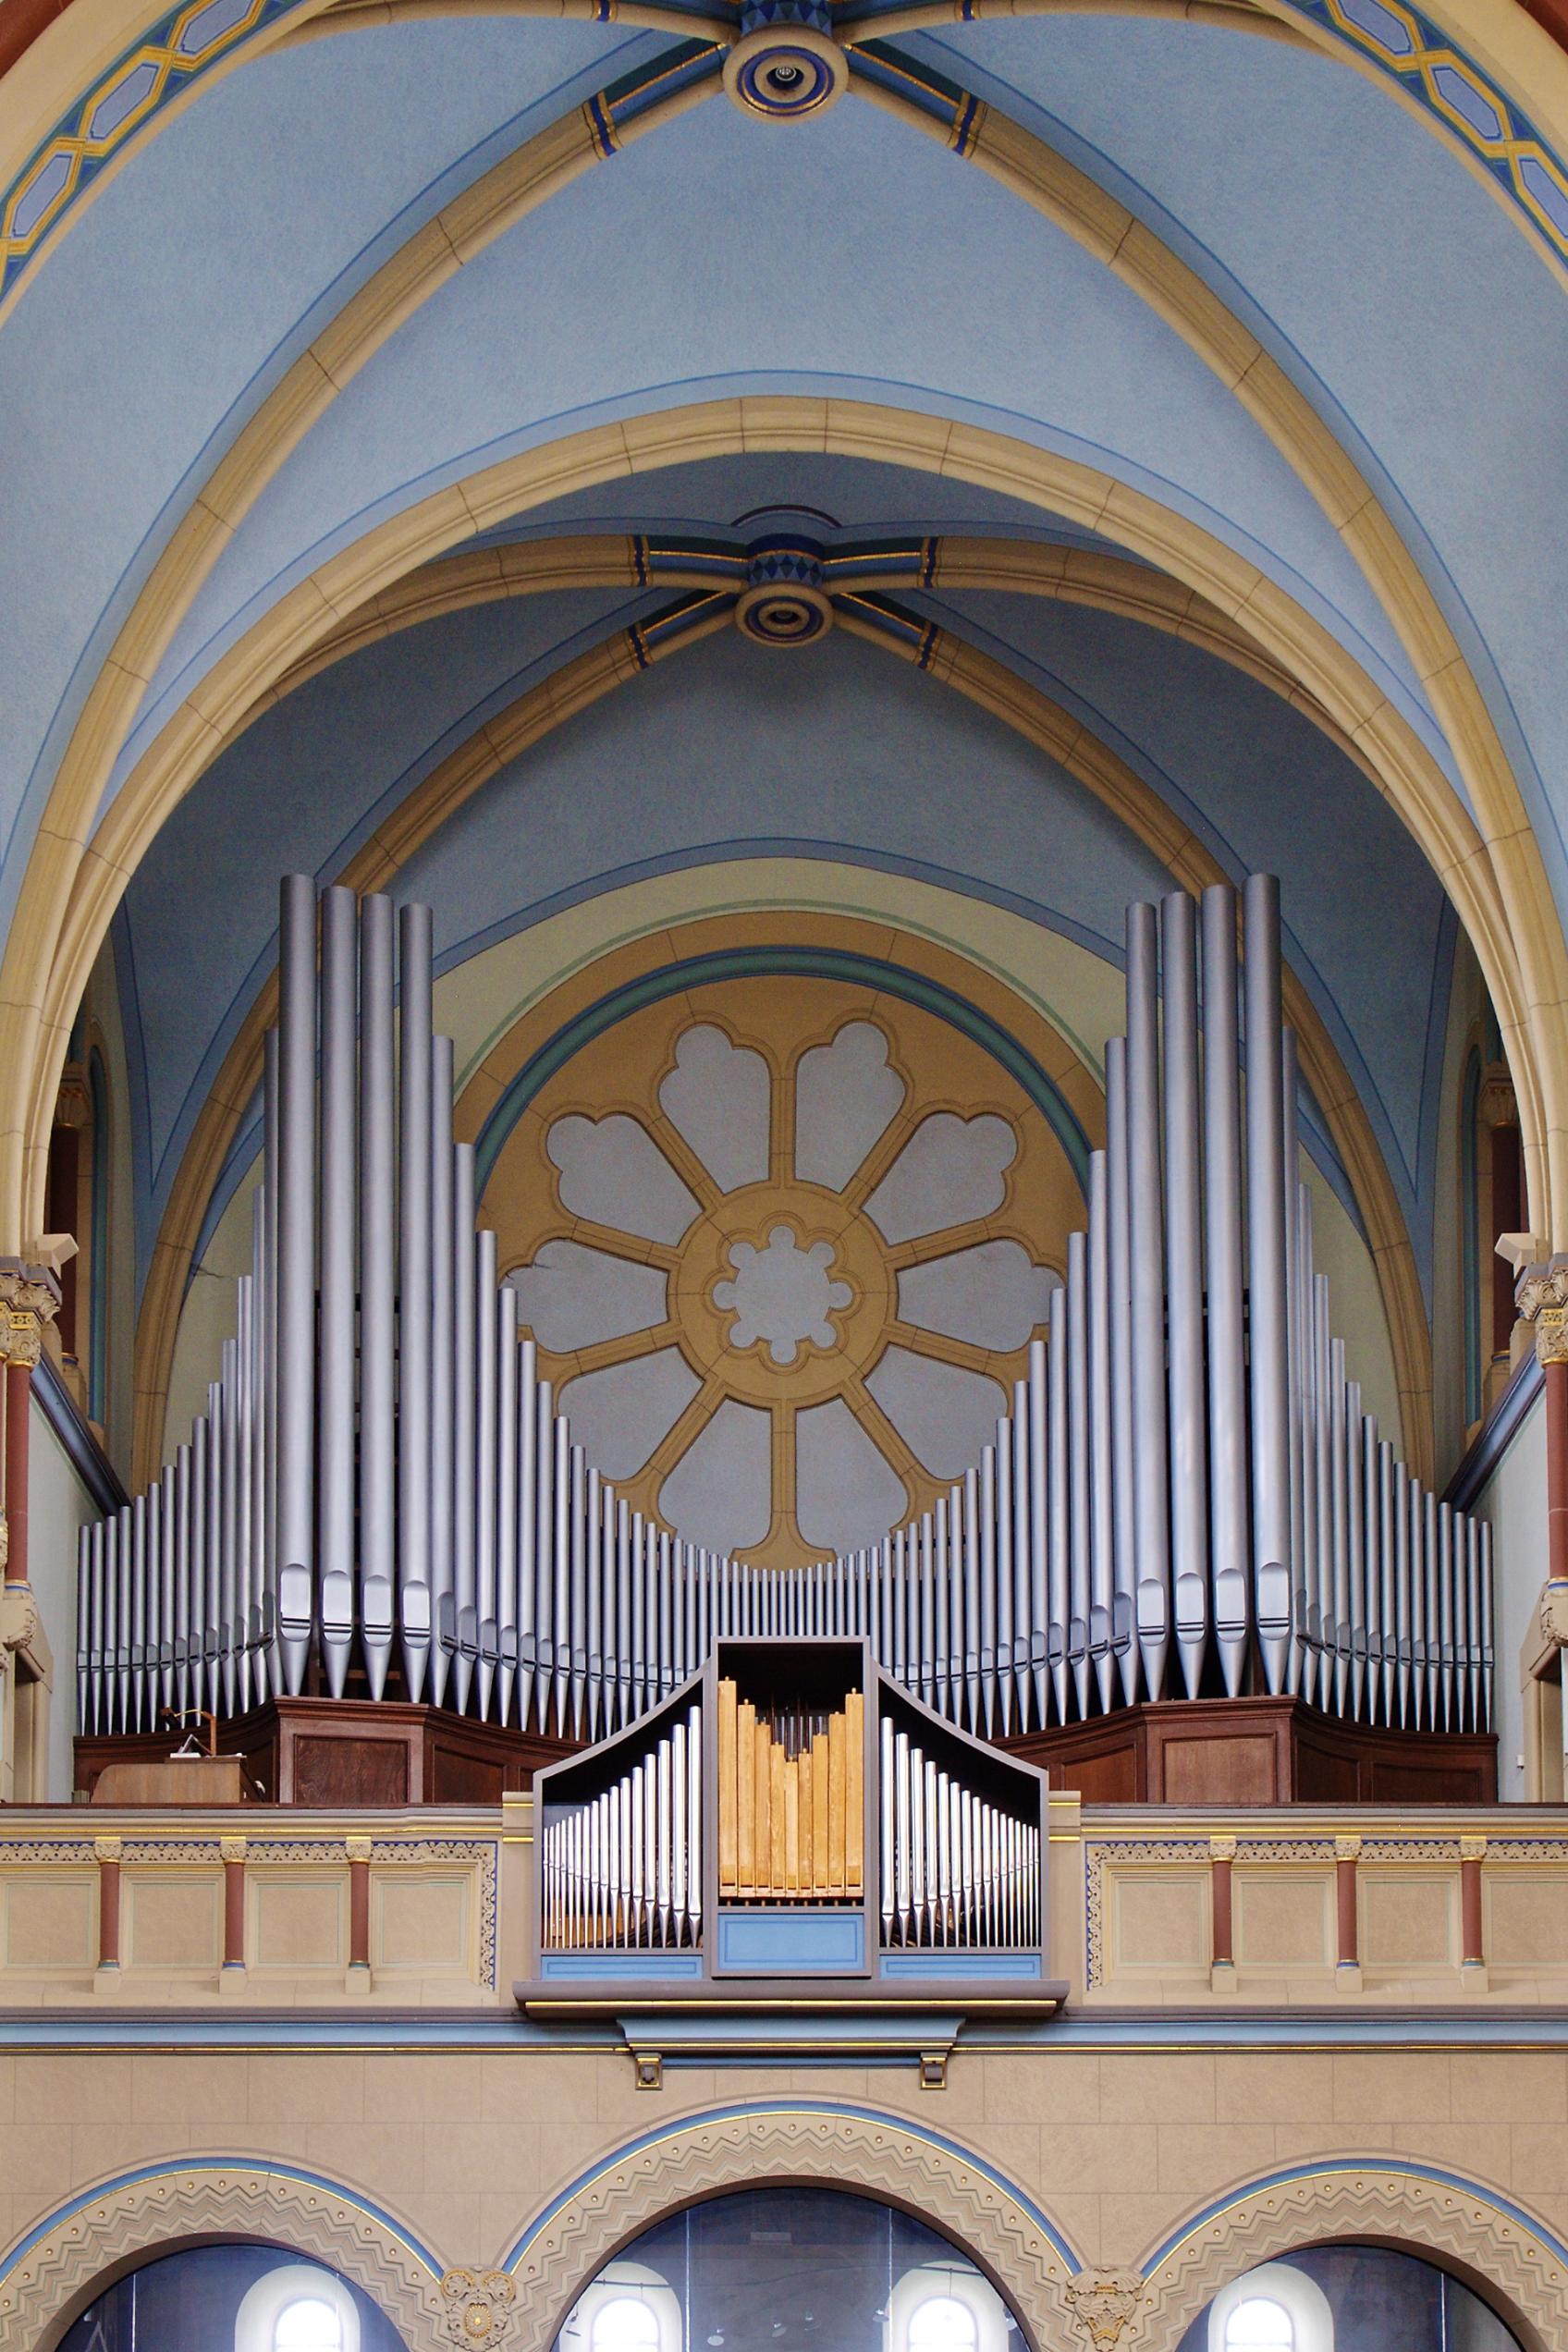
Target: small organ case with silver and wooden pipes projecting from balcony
x,y
791,1829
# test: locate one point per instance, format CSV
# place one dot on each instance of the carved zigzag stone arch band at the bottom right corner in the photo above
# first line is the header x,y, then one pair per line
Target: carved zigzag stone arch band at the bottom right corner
x,y
1515,2261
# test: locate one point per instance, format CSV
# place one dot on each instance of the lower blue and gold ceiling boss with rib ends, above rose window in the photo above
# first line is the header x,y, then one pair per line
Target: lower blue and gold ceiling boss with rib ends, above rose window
x,y
784,592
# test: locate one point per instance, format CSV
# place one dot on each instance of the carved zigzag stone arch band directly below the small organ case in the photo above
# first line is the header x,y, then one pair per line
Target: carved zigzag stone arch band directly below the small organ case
x,y
800,2144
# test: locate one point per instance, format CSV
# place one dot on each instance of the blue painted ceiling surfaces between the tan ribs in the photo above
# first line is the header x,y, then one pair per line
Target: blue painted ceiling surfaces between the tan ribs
x,y
850,258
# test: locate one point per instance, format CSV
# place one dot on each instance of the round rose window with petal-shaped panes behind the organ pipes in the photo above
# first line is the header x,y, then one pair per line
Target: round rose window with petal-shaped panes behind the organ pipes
x,y
784,1255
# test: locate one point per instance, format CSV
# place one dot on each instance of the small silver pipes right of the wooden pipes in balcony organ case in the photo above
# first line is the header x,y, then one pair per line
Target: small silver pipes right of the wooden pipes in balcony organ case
x,y
958,1871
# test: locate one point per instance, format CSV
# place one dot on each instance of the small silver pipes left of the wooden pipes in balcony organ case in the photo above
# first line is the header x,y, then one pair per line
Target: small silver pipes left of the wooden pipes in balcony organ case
x,y
624,1871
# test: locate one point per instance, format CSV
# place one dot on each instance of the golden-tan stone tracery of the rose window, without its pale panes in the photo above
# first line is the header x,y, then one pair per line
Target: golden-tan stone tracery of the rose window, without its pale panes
x,y
784,1020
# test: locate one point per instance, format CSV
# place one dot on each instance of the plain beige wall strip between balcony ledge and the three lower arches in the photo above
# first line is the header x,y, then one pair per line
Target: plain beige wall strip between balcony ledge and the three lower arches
x,y
464,2149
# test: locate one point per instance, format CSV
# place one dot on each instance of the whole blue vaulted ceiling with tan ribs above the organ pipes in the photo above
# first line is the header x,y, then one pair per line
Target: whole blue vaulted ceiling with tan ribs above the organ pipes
x,y
1160,410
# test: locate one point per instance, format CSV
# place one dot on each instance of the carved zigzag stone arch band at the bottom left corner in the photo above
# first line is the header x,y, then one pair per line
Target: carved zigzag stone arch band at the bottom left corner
x,y
79,2250
